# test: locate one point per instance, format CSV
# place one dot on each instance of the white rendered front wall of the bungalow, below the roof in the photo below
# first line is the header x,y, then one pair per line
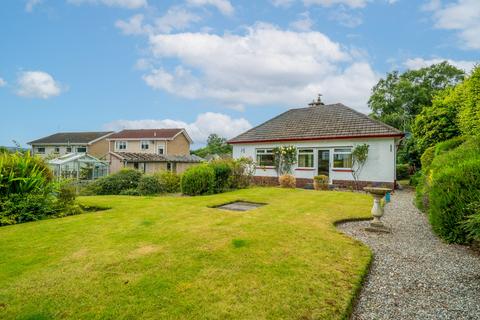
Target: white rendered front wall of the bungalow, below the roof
x,y
380,165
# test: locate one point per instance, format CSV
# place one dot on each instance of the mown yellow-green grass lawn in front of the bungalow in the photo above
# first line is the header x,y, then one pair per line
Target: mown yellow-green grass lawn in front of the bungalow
x,y
176,258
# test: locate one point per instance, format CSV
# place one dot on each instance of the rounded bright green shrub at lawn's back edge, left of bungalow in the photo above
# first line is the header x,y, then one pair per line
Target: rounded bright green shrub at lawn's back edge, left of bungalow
x,y
198,180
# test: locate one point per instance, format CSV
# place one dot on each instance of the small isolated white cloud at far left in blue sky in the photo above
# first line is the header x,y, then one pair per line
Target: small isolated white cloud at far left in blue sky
x,y
37,84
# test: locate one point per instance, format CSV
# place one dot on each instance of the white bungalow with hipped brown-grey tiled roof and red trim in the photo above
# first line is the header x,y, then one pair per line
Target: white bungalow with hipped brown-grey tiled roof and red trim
x,y
324,136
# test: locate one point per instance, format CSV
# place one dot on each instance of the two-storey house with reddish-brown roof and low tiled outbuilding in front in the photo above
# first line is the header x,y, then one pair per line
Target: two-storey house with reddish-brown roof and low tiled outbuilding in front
x,y
151,150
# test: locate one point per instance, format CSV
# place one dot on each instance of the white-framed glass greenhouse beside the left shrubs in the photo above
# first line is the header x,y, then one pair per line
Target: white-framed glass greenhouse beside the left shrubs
x,y
78,166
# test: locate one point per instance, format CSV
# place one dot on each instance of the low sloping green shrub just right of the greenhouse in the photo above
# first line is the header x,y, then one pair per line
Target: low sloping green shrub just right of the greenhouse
x,y
114,183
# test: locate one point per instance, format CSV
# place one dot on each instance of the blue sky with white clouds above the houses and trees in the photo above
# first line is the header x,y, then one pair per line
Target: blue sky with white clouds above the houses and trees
x,y
209,65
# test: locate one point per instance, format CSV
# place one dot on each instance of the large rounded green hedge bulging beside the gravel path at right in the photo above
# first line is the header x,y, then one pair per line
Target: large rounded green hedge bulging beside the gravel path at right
x,y
452,186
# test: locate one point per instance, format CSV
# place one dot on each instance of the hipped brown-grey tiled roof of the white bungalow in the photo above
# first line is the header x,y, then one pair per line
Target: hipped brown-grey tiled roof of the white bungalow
x,y
333,121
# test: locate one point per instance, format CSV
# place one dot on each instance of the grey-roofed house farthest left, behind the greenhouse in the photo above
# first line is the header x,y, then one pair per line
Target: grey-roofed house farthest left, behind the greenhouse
x,y
59,144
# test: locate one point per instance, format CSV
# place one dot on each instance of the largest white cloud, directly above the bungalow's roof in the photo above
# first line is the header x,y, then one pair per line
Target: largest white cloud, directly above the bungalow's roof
x,y
265,65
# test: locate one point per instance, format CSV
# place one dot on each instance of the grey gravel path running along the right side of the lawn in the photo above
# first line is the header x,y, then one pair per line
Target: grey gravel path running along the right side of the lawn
x,y
414,275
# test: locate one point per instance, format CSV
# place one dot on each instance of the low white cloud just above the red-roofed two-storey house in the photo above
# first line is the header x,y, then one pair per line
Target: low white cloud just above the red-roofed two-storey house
x,y
199,130
